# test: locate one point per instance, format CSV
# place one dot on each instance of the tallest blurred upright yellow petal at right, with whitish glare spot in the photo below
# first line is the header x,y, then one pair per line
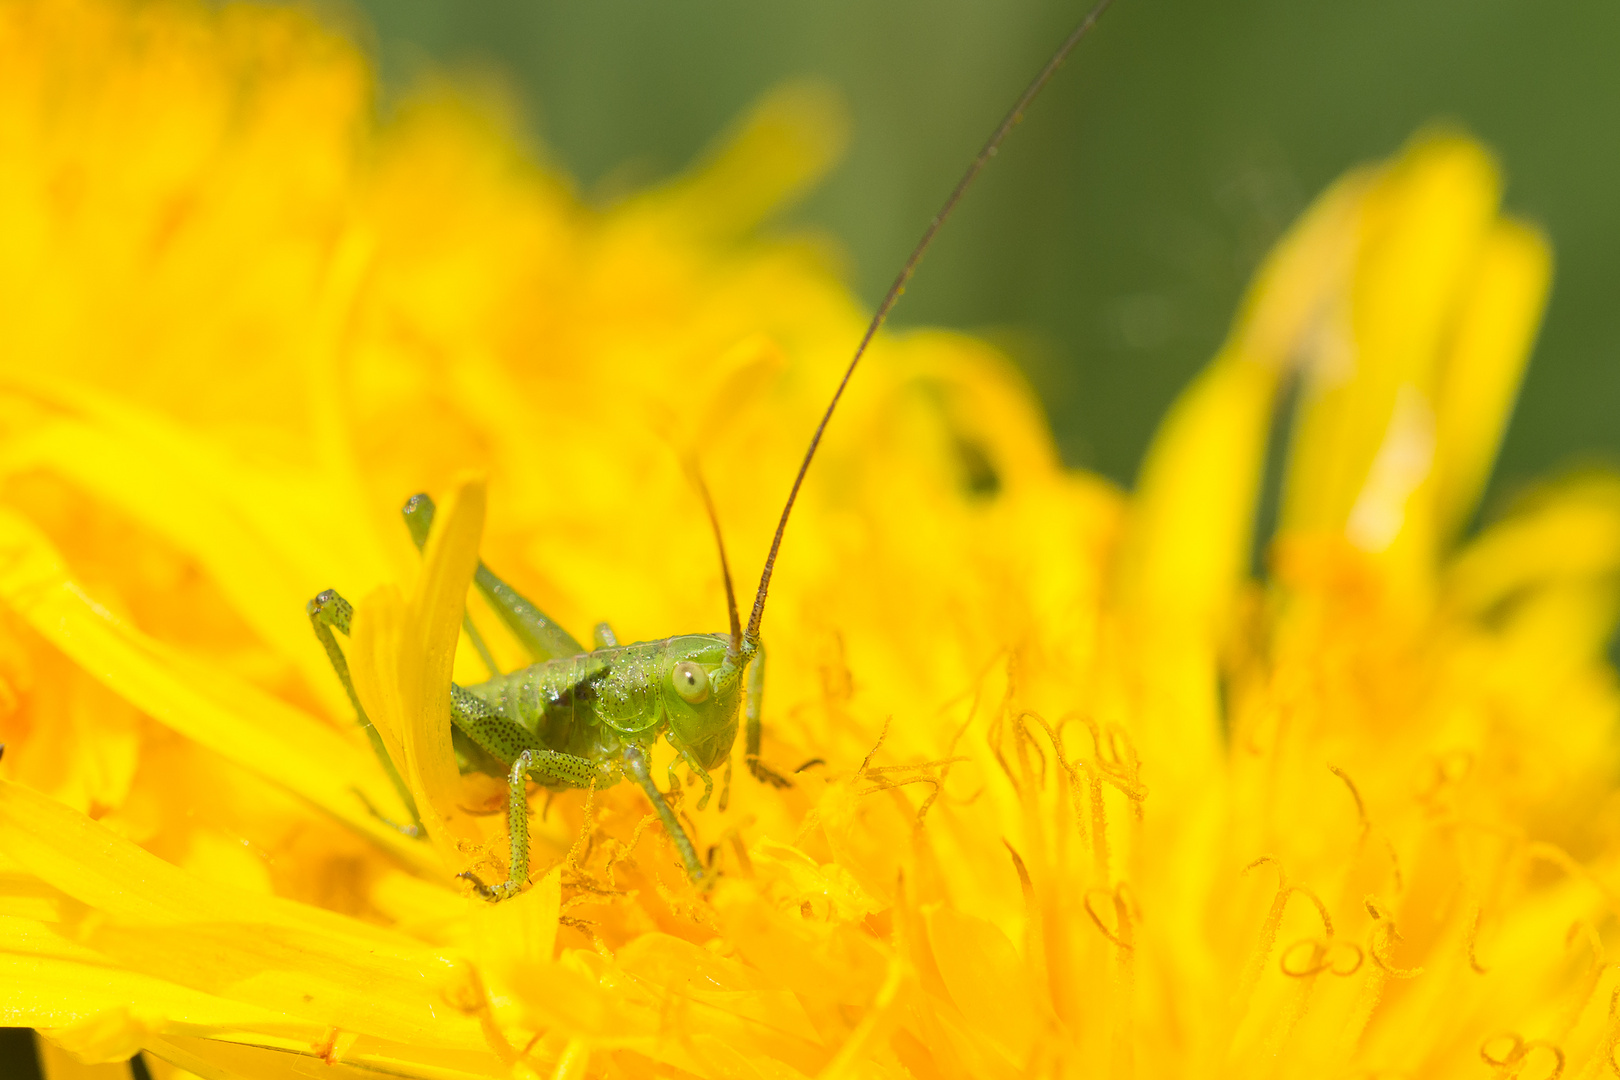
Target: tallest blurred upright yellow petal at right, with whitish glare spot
x,y
1363,456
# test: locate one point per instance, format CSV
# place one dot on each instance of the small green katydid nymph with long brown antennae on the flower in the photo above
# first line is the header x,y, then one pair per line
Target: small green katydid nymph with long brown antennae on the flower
x,y
581,718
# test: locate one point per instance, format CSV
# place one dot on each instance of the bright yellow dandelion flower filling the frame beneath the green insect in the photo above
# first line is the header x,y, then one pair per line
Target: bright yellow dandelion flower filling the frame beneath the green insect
x,y
1085,797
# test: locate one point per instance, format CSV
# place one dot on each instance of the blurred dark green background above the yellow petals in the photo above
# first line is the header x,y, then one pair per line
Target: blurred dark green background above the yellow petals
x,y
1109,245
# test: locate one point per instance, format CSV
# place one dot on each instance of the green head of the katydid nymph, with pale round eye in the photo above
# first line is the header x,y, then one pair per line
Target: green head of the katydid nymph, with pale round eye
x,y
702,689
